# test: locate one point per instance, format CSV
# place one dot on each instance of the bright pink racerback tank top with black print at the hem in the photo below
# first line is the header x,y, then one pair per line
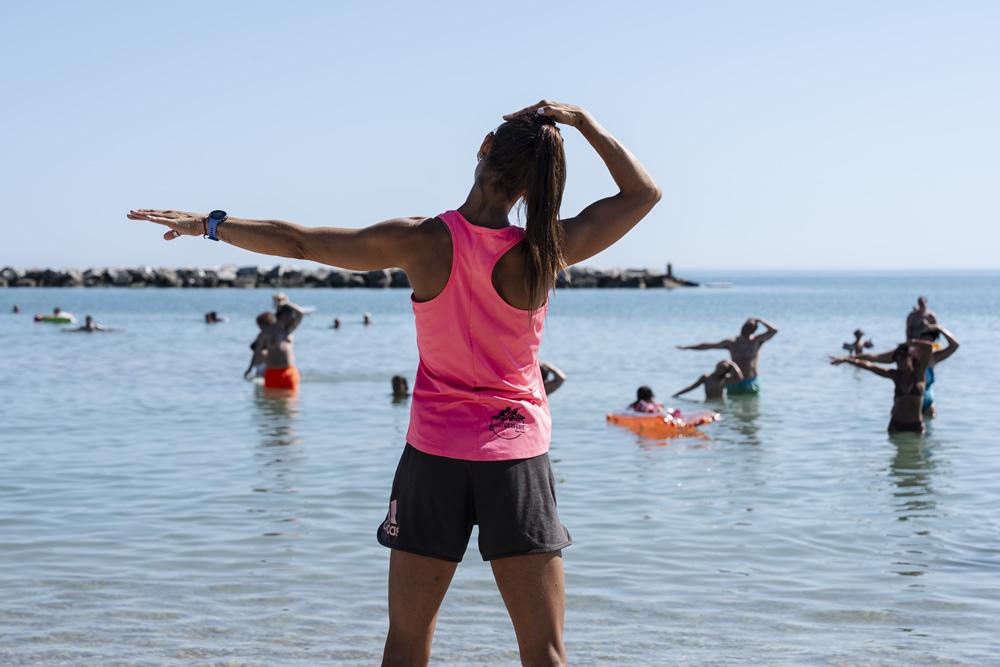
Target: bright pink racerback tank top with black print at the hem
x,y
478,395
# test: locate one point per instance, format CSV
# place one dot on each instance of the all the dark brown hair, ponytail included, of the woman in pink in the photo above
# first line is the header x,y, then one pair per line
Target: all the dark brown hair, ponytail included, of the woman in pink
x,y
527,158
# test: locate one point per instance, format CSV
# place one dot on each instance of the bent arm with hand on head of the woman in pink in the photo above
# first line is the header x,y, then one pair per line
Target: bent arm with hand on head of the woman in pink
x,y
605,221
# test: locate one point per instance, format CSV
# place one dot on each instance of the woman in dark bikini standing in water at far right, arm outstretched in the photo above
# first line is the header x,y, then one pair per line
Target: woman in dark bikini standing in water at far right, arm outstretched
x,y
908,376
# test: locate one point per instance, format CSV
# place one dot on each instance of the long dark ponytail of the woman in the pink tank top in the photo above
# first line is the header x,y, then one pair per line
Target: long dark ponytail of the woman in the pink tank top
x,y
543,197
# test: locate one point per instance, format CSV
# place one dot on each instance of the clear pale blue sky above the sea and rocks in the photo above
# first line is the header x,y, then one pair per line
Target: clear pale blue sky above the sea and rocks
x,y
784,134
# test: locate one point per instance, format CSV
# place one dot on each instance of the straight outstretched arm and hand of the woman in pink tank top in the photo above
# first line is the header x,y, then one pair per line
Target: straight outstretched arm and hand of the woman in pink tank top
x,y
384,245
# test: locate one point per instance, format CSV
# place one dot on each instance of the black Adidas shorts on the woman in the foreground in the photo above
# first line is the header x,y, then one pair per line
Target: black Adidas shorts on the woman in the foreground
x,y
435,501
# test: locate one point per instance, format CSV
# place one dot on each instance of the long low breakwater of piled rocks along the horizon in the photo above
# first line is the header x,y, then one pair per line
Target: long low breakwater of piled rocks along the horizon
x,y
290,277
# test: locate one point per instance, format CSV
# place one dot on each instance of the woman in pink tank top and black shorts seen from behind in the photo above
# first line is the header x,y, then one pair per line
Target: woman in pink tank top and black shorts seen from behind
x,y
476,451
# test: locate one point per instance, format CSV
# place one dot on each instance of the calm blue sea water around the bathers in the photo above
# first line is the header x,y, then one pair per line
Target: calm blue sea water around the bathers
x,y
155,509
